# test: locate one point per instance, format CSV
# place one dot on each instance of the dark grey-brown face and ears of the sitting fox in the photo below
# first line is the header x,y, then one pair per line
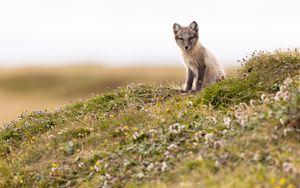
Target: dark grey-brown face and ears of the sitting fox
x,y
186,37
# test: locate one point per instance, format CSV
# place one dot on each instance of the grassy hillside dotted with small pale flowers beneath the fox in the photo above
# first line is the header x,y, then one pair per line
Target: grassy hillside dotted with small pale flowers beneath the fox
x,y
241,132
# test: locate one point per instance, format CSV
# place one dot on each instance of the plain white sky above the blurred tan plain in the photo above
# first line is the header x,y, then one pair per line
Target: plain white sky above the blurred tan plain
x,y
136,32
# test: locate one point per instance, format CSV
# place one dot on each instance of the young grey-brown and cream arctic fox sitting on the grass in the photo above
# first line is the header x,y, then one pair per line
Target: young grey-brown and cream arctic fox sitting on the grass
x,y
202,66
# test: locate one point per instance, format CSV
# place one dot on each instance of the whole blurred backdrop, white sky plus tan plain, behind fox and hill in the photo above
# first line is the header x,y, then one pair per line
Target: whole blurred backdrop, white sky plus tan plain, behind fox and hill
x,y
54,52
